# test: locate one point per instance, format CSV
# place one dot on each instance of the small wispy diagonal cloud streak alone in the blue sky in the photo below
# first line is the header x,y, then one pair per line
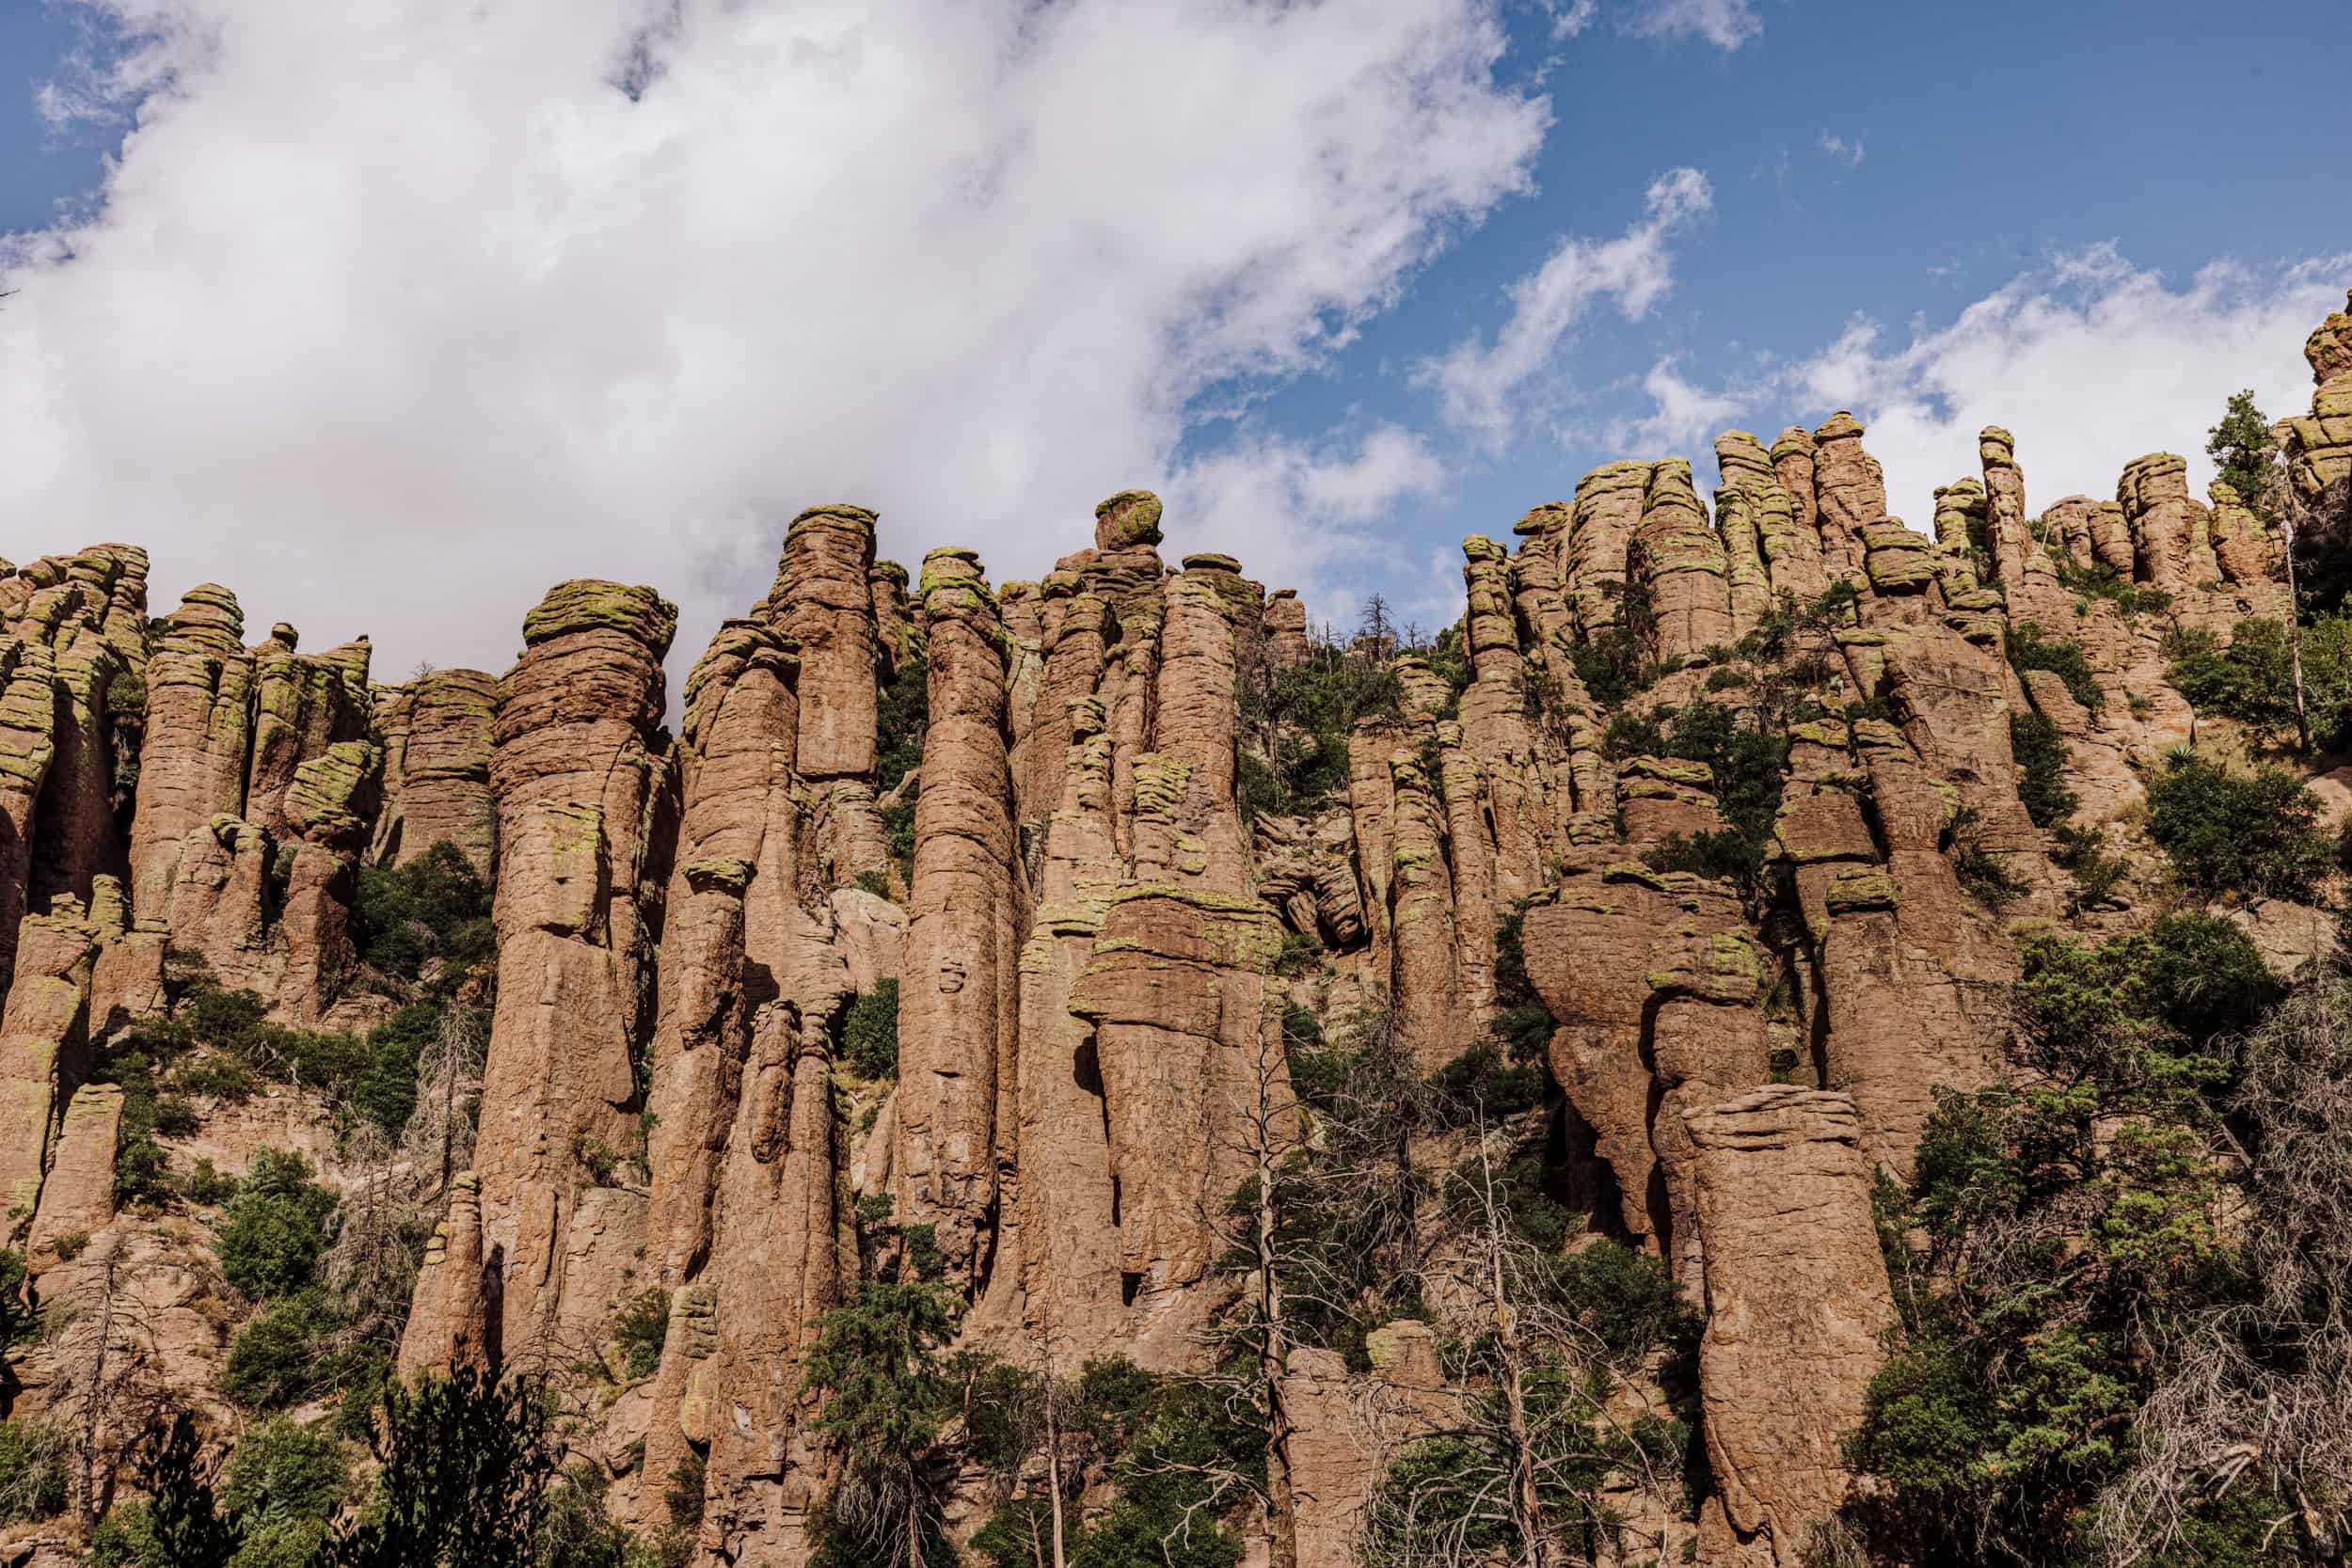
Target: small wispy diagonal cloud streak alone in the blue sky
x,y
1481,387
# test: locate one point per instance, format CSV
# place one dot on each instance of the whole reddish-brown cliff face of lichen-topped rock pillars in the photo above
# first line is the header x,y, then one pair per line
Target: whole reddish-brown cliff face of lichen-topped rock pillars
x,y
1090,932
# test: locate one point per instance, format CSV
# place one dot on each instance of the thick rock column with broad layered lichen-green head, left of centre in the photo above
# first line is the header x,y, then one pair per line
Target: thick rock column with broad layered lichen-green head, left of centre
x,y
575,775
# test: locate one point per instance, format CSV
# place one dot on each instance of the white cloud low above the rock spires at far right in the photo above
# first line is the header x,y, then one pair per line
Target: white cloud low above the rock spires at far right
x,y
2087,361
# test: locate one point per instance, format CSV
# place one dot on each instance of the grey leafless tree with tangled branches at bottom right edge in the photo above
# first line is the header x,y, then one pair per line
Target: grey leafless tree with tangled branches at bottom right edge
x,y
2257,1393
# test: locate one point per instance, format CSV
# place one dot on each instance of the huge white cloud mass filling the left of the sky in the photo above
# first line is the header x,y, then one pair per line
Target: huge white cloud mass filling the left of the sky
x,y
396,316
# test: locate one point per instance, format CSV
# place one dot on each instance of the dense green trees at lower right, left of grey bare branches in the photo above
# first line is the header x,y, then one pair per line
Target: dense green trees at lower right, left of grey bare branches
x,y
2057,1228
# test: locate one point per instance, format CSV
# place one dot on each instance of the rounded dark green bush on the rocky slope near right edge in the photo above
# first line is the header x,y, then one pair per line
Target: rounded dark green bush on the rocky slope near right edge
x,y
2252,836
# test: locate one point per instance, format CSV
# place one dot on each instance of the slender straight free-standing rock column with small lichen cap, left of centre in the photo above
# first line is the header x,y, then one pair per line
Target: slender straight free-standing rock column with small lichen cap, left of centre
x,y
958,998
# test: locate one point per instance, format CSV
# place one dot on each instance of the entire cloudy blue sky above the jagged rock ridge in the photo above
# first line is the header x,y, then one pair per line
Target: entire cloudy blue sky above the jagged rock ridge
x,y
392,321
